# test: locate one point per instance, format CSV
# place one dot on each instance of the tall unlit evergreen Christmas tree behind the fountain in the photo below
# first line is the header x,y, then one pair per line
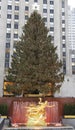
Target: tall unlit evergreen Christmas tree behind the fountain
x,y
35,65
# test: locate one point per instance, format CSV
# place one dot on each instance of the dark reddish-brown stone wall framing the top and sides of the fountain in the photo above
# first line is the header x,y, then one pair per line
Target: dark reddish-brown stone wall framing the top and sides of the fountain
x,y
61,102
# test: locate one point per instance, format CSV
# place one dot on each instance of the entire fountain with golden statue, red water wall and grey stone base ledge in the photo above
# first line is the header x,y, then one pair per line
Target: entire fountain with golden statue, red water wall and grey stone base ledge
x,y
36,116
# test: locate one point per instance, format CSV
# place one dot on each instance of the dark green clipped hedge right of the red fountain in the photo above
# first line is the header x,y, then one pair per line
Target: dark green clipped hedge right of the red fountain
x,y
69,109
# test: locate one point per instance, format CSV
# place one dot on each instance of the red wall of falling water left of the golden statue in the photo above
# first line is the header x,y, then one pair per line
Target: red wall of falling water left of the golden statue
x,y
19,112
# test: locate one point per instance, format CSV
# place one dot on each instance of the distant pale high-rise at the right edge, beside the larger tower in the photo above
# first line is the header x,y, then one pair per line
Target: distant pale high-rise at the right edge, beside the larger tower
x,y
71,38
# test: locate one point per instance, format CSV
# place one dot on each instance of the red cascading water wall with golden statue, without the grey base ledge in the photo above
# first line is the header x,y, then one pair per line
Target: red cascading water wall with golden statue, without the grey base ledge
x,y
33,114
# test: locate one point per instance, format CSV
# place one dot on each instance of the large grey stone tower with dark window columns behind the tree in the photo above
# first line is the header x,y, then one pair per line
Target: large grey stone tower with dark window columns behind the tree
x,y
15,13
